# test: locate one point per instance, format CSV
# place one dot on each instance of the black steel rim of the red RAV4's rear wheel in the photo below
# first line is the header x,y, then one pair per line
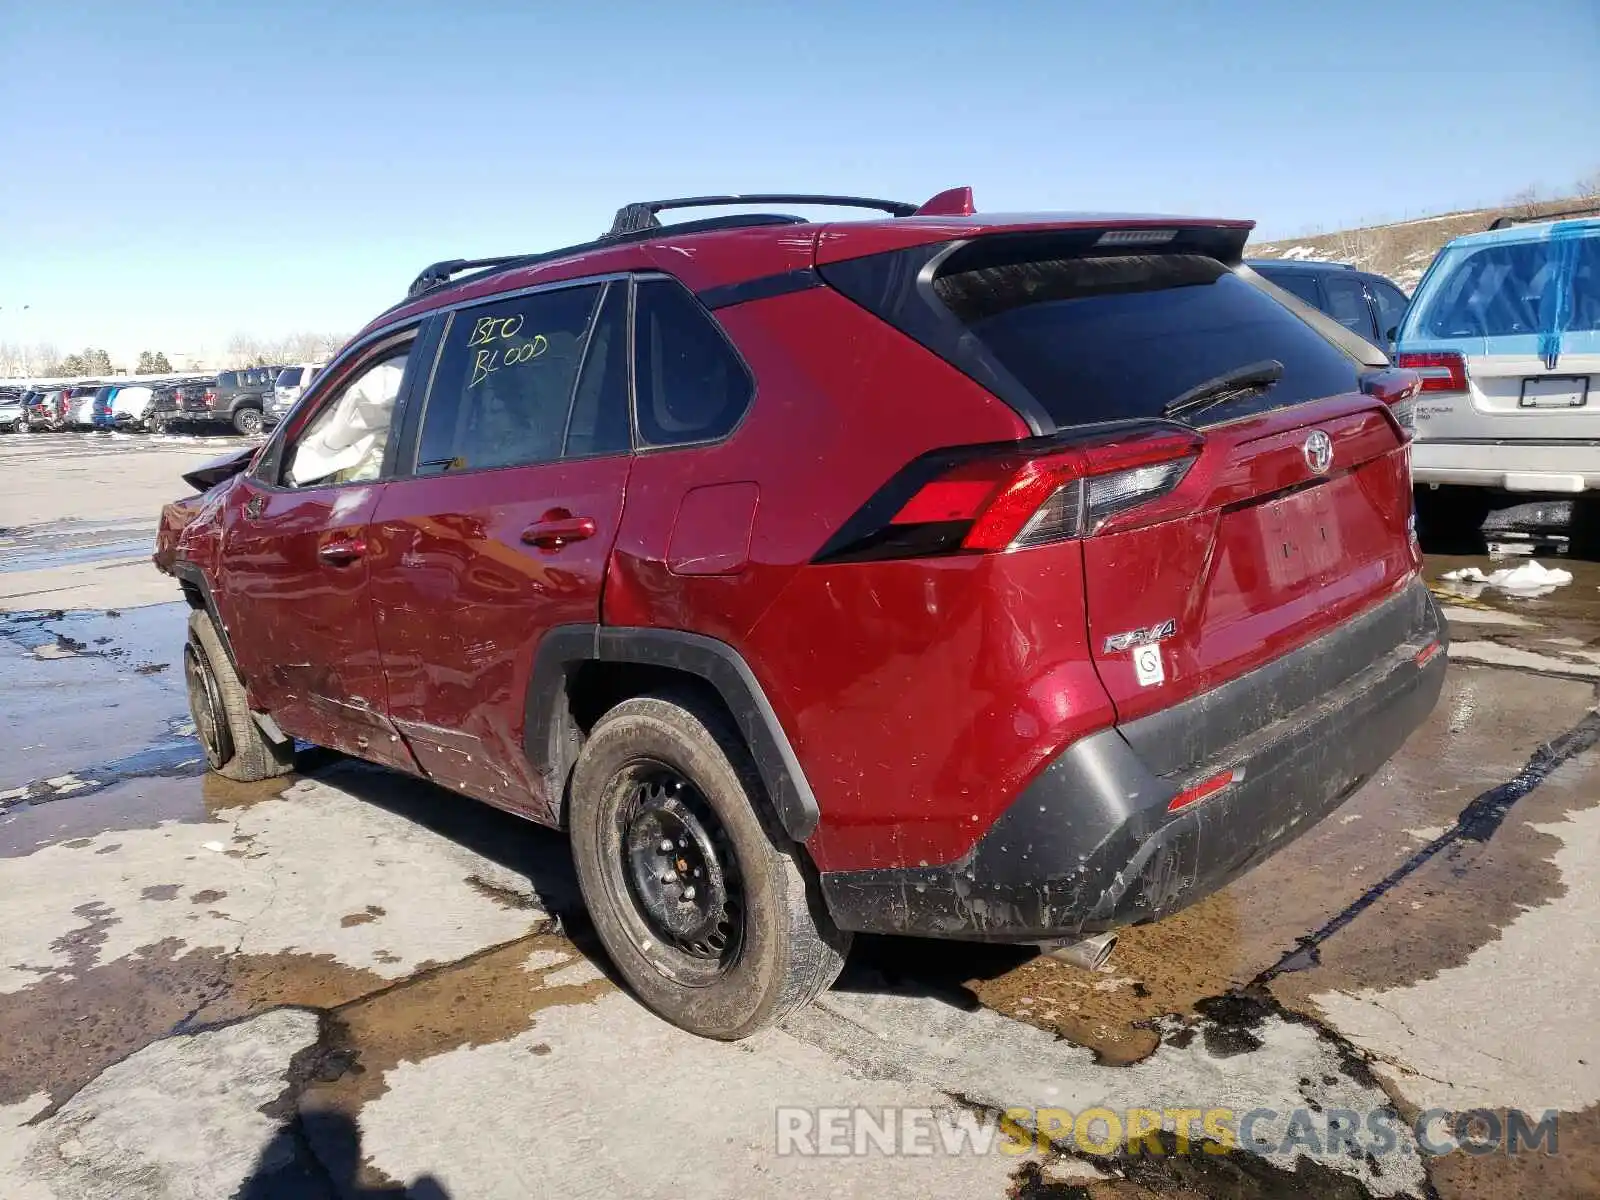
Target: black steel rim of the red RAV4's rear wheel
x,y
682,881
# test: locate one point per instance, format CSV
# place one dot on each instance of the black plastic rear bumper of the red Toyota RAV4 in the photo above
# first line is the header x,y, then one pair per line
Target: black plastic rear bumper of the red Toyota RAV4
x,y
1090,844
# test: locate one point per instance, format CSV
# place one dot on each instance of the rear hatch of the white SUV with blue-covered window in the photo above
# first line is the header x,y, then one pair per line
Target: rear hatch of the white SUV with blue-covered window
x,y
1510,337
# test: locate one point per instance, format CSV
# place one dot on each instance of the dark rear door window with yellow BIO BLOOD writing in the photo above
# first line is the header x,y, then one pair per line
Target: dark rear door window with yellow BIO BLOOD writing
x,y
505,383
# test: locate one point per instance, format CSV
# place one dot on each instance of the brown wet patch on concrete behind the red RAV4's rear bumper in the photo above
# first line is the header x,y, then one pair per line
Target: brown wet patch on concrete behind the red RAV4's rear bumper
x,y
1380,905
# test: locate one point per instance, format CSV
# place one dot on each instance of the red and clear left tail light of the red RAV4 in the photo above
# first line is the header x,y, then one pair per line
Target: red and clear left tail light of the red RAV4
x,y
1010,500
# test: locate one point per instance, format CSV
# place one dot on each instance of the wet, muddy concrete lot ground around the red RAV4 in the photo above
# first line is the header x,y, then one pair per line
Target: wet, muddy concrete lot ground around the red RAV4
x,y
356,985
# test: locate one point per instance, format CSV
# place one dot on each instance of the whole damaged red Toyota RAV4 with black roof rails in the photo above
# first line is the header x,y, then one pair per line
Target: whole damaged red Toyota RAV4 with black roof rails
x,y
948,575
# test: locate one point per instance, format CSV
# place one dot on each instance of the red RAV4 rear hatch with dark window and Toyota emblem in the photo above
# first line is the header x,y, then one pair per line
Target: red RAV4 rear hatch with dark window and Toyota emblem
x,y
1215,537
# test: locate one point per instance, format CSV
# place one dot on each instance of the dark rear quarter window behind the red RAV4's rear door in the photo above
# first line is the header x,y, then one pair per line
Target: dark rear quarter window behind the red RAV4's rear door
x,y
690,386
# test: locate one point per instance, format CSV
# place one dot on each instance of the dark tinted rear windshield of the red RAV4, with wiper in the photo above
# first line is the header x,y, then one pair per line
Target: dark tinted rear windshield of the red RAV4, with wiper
x,y
1105,338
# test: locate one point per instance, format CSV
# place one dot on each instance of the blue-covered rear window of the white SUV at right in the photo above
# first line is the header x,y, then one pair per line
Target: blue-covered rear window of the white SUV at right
x,y
1514,289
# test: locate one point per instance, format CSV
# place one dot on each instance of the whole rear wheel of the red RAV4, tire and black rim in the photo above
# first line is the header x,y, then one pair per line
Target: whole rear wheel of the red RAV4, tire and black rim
x,y
649,764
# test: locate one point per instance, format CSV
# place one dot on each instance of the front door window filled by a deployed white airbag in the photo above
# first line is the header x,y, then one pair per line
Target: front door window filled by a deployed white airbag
x,y
346,441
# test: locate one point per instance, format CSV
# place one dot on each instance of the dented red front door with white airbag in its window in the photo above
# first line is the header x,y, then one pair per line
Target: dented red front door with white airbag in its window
x,y
297,550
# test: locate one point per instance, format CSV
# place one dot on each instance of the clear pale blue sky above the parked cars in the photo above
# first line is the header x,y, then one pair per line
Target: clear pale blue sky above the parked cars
x,y
199,170
